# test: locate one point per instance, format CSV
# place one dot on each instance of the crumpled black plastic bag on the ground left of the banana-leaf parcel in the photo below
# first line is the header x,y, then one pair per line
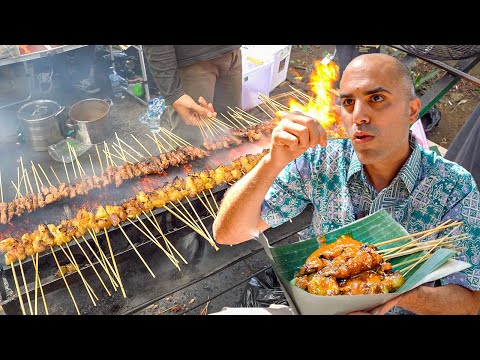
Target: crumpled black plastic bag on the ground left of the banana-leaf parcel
x,y
263,291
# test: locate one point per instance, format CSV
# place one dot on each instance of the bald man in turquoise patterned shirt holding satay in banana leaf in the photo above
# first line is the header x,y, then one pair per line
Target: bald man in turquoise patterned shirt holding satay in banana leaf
x,y
382,167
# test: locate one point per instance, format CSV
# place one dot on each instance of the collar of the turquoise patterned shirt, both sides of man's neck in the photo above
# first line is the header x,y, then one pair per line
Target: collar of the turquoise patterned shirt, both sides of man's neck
x,y
408,173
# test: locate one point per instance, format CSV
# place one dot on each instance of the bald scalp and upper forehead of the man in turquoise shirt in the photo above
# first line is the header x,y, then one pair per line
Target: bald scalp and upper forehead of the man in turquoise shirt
x,y
388,65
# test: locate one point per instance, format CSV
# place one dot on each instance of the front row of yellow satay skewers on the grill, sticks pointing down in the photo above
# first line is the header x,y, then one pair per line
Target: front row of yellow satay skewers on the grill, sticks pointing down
x,y
71,230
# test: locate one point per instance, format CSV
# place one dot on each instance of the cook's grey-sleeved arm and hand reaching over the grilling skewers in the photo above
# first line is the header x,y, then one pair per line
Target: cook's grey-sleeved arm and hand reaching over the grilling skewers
x,y
162,61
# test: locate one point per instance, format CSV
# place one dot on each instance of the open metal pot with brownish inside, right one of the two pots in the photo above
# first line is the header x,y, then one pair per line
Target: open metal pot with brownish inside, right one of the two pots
x,y
90,120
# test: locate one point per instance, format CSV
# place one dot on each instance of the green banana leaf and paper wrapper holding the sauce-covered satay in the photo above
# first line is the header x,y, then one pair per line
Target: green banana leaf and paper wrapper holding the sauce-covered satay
x,y
375,228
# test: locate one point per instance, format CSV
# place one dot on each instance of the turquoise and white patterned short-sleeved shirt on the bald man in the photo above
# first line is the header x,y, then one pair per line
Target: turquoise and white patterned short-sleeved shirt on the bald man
x,y
427,191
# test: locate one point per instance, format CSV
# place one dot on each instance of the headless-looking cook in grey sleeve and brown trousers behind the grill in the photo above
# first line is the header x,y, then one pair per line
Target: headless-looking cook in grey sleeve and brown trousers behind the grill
x,y
196,80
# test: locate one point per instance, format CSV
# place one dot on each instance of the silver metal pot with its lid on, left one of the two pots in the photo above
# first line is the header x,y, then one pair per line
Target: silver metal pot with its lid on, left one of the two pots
x,y
40,123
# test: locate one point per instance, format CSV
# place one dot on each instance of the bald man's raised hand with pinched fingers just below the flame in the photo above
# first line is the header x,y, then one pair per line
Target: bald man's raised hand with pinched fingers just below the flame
x,y
293,136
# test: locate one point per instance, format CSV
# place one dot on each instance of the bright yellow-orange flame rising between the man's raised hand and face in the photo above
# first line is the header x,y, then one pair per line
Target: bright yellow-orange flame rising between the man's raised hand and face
x,y
322,105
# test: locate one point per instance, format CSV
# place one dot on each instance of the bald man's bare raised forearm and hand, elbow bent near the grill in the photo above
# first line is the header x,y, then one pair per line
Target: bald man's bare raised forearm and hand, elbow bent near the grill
x,y
238,219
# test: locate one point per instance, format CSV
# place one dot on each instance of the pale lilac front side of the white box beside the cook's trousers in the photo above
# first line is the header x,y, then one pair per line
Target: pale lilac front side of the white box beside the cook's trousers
x,y
255,79
